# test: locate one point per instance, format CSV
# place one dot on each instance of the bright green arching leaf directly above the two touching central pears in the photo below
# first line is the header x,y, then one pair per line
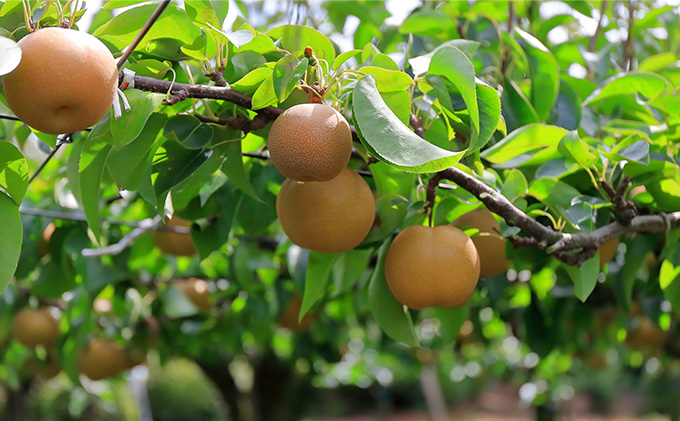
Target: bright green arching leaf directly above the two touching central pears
x,y
295,39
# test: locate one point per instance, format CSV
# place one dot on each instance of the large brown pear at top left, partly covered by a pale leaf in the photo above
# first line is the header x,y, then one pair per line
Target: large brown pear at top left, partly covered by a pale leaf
x,y
66,81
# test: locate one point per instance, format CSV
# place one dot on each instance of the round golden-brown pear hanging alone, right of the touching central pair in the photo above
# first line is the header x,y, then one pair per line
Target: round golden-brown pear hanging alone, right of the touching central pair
x,y
432,267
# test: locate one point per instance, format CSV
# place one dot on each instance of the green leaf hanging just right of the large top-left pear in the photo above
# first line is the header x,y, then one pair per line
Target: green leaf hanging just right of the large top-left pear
x,y
125,129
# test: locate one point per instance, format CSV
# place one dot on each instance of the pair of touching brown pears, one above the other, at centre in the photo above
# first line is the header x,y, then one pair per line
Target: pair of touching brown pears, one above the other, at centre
x,y
323,205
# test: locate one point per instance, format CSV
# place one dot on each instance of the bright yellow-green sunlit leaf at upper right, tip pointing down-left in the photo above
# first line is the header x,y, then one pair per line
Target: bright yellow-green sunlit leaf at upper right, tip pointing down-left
x,y
648,85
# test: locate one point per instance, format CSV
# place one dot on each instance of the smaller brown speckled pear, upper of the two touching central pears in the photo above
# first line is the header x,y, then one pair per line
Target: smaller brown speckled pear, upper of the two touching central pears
x,y
310,142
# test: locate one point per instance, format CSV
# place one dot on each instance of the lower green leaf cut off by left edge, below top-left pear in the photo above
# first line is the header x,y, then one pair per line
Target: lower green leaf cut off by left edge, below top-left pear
x,y
10,239
